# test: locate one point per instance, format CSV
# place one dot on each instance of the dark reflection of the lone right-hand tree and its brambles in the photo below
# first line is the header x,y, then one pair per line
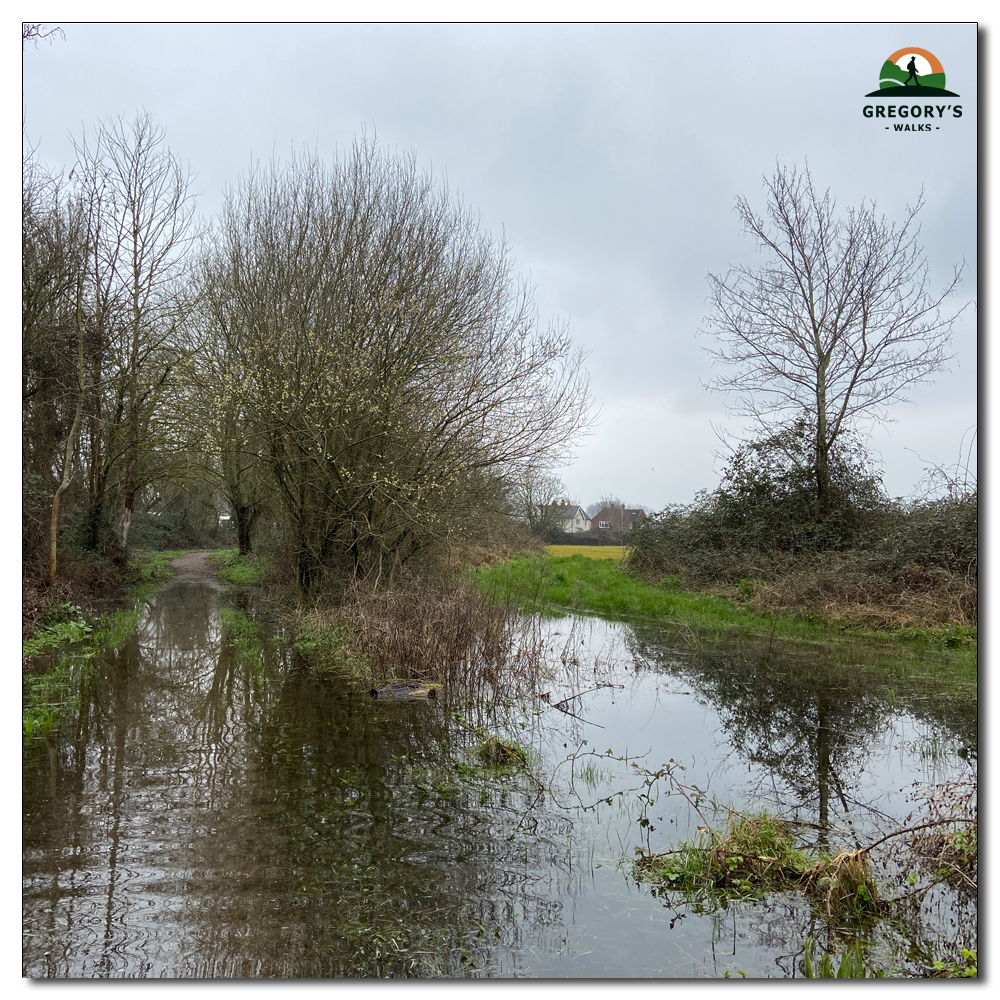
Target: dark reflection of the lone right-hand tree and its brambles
x,y
810,718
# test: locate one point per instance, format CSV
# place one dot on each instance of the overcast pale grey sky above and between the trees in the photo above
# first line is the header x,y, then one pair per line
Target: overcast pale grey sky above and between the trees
x,y
610,155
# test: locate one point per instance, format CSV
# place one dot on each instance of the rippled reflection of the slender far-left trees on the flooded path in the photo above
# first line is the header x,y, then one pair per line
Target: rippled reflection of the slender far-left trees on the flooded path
x,y
110,773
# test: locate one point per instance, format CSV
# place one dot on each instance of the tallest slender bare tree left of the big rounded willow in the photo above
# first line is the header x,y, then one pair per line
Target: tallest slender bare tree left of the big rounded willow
x,y
140,216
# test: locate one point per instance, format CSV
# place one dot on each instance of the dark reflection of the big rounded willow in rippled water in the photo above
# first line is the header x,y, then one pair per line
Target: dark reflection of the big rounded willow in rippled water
x,y
402,866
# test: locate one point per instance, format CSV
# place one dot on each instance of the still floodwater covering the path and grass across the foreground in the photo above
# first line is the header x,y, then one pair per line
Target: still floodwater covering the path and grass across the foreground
x,y
216,810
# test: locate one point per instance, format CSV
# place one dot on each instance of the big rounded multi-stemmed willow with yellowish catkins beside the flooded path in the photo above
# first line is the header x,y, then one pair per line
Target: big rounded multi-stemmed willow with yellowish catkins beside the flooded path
x,y
392,372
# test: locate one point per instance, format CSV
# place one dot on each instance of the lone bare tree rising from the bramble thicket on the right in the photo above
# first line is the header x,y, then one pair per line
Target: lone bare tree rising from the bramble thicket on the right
x,y
838,323
